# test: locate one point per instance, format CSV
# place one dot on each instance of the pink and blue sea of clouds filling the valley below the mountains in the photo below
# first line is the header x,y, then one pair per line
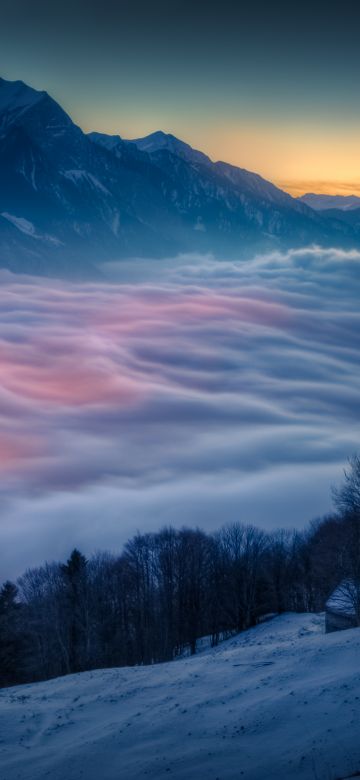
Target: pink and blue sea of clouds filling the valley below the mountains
x,y
190,392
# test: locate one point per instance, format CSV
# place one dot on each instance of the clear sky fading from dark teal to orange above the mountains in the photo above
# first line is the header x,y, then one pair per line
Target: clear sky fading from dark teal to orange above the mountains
x,y
272,87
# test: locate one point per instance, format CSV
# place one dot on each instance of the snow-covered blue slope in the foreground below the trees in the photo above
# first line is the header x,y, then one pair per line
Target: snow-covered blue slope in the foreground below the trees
x,y
280,701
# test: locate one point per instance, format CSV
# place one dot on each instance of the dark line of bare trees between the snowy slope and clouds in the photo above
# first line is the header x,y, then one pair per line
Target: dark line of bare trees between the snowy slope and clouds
x,y
167,589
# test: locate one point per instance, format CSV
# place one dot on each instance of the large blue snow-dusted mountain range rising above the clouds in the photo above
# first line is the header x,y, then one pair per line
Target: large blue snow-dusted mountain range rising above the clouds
x,y
71,201
